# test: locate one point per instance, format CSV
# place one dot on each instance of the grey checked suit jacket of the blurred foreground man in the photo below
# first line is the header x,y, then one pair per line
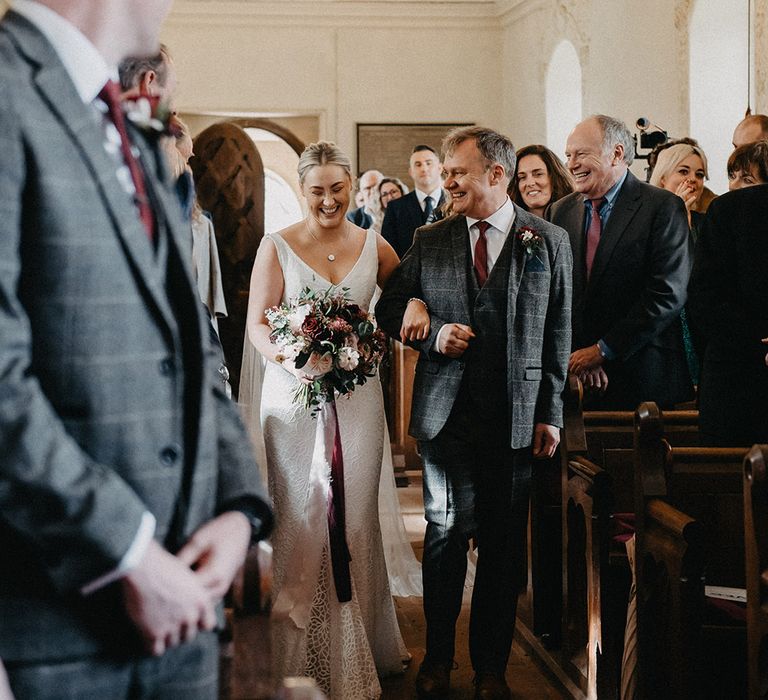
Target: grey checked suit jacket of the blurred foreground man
x,y
108,405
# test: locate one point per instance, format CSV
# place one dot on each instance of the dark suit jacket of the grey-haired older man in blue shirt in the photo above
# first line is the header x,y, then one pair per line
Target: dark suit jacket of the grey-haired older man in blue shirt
x,y
635,293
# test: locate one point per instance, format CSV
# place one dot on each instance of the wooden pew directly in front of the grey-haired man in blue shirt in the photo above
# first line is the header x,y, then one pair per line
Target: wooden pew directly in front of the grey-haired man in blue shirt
x,y
597,482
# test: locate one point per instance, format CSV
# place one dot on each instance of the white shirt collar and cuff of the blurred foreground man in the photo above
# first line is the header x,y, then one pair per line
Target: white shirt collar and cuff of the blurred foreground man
x,y
89,72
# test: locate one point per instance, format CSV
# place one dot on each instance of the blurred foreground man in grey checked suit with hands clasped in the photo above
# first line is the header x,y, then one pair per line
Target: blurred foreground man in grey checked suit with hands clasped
x,y
128,491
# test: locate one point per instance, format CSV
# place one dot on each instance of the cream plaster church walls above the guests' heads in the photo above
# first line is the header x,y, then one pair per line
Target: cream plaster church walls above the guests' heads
x,y
339,63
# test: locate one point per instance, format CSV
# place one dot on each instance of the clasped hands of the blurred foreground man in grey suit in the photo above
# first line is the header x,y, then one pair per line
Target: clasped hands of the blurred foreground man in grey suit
x,y
170,598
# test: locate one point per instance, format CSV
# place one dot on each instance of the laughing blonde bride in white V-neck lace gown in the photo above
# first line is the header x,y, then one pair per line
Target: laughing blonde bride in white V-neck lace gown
x,y
344,646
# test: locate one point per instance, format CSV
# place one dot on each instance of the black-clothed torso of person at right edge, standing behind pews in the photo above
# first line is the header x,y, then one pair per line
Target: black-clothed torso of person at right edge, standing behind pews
x,y
728,311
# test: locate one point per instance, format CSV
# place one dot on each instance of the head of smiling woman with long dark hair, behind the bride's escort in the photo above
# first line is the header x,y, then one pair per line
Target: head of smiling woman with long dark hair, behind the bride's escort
x,y
539,179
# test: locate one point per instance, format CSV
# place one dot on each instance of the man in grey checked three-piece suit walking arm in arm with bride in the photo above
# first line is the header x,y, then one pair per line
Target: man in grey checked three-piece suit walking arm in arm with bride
x,y
496,281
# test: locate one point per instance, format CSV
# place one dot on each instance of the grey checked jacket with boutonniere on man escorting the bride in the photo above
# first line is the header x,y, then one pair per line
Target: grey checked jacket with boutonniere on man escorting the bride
x,y
538,322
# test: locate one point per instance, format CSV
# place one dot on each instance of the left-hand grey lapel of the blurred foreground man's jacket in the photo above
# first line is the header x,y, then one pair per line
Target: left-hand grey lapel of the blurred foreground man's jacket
x,y
80,122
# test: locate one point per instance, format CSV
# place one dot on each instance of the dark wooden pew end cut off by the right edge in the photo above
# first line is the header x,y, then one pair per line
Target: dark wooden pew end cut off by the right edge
x,y
756,546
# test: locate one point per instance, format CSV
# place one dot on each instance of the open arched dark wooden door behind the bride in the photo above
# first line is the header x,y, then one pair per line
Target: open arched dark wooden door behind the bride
x,y
229,177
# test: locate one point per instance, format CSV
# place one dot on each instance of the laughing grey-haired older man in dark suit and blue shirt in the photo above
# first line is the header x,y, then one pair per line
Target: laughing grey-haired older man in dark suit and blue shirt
x,y
631,261
